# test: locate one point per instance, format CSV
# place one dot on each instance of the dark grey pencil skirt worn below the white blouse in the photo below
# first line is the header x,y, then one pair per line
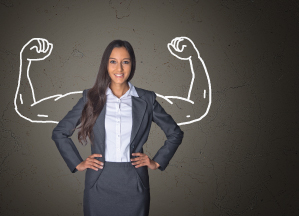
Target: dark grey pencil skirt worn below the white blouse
x,y
117,192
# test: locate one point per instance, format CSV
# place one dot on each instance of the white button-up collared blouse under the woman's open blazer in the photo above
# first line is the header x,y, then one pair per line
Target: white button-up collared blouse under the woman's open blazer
x,y
118,125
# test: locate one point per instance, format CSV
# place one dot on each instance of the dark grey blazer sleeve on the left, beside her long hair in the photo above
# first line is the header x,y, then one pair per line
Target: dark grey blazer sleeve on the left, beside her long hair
x,y
64,130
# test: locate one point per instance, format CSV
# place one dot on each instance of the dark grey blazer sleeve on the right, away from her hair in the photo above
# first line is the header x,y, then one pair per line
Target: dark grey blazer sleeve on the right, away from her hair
x,y
172,131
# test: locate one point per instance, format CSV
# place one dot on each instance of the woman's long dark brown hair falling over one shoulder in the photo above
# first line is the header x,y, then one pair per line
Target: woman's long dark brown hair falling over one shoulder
x,y
96,97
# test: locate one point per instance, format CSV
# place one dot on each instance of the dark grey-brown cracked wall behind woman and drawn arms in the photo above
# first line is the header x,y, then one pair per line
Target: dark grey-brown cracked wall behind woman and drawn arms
x,y
241,159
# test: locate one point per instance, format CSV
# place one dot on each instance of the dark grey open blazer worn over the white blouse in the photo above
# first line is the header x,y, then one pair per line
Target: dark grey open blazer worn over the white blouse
x,y
145,109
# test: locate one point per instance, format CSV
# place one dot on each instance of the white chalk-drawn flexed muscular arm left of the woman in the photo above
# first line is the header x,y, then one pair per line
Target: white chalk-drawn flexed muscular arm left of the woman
x,y
36,49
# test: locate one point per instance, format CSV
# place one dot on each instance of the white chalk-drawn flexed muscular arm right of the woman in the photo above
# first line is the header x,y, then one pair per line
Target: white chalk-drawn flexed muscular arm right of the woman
x,y
197,102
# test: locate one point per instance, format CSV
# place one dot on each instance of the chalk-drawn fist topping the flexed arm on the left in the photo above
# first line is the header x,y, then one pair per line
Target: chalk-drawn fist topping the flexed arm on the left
x,y
37,49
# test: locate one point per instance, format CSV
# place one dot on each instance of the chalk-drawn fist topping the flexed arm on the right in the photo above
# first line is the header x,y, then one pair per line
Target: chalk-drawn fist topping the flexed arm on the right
x,y
183,48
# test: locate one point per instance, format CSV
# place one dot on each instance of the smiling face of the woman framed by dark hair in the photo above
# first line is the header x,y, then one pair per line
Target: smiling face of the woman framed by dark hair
x,y
119,65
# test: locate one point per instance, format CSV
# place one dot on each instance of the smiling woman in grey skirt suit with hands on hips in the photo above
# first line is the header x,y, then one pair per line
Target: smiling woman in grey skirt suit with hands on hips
x,y
116,117
